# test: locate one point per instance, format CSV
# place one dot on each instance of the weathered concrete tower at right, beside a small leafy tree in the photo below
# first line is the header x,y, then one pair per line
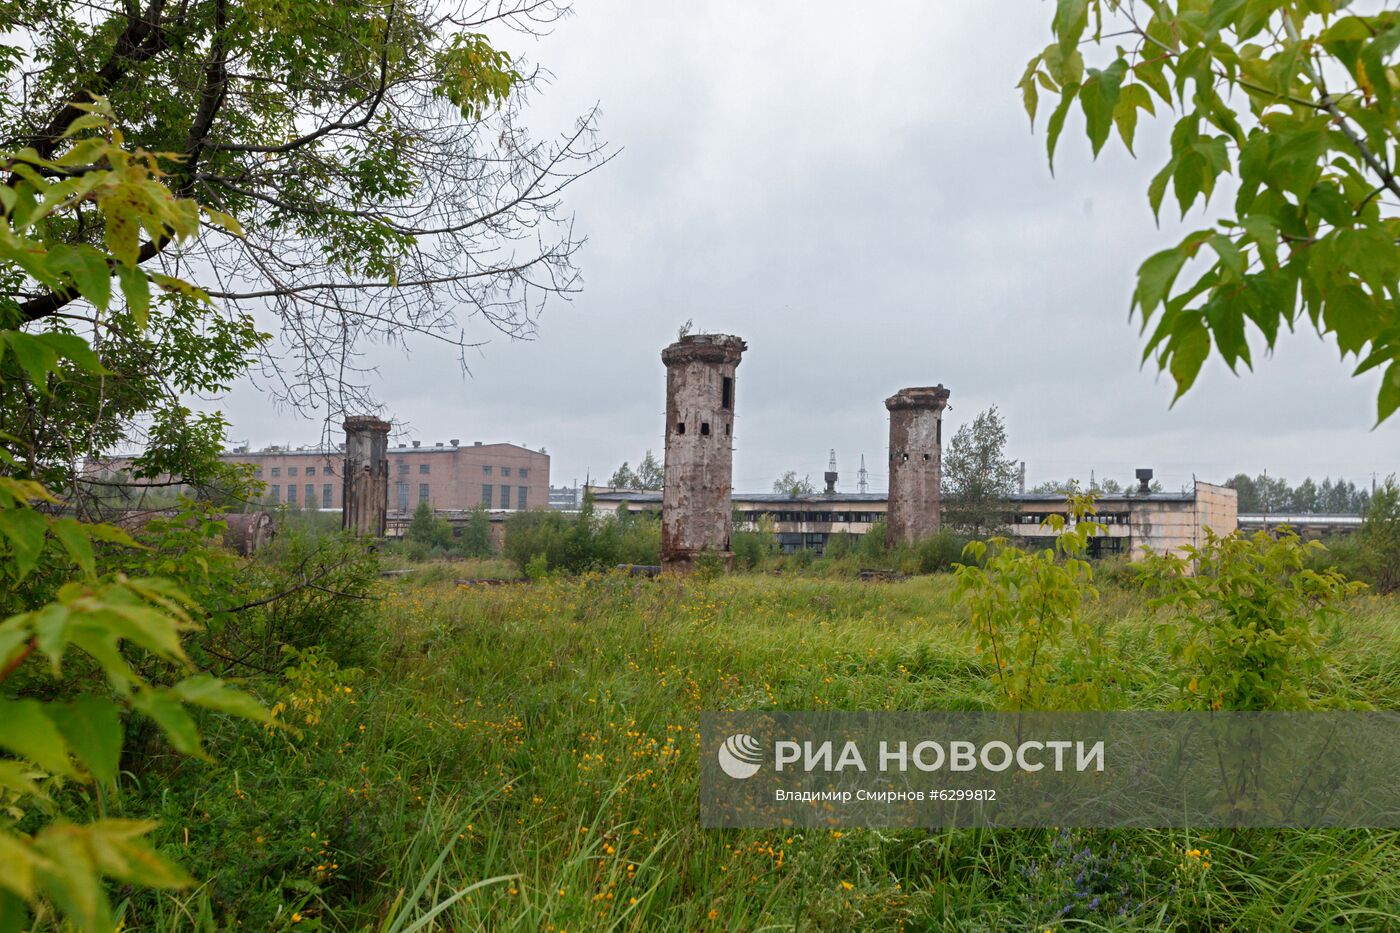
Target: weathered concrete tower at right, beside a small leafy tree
x,y
916,439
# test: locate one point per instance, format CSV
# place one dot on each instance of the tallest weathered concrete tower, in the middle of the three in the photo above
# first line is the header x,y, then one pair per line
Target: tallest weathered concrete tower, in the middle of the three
x,y
695,506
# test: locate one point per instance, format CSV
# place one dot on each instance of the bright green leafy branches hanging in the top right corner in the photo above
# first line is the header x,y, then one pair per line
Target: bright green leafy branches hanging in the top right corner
x,y
1298,102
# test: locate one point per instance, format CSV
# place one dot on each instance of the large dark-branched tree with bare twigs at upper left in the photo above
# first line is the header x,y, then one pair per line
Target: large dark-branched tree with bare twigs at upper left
x,y
376,159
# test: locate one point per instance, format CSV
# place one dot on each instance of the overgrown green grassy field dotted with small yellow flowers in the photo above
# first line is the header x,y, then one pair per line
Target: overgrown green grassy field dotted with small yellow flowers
x,y
524,757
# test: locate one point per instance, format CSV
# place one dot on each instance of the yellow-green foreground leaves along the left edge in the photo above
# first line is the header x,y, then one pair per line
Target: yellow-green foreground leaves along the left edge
x,y
58,604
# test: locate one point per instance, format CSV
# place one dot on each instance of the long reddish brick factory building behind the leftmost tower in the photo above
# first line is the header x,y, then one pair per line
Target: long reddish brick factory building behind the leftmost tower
x,y
449,477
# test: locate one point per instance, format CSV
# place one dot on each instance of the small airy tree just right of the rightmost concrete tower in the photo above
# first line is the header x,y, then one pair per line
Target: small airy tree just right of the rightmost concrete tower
x,y
978,476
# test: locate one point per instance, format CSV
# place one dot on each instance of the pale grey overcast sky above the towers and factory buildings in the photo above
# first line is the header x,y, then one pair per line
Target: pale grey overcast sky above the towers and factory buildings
x,y
860,200
